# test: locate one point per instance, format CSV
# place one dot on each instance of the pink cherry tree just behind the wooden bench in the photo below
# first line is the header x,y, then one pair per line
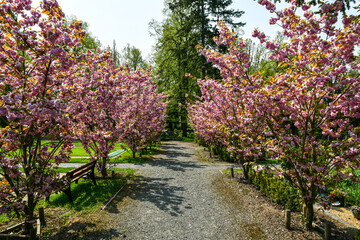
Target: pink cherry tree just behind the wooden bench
x,y
94,106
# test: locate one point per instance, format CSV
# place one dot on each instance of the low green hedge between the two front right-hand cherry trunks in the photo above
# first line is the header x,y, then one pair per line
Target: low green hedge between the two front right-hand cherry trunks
x,y
276,189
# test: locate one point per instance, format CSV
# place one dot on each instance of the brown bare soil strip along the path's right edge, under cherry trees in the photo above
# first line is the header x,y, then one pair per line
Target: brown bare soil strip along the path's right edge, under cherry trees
x,y
269,217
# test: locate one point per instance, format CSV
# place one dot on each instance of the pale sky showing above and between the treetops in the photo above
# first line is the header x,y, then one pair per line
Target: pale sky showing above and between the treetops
x,y
126,21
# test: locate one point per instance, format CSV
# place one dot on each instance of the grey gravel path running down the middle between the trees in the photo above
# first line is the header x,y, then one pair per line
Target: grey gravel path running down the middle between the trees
x,y
173,198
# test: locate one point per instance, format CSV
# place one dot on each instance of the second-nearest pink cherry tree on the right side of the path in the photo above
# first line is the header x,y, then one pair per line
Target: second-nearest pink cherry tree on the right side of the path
x,y
229,105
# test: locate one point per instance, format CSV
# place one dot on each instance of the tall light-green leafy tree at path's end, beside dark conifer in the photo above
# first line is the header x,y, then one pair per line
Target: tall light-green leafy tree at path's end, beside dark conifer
x,y
175,56
